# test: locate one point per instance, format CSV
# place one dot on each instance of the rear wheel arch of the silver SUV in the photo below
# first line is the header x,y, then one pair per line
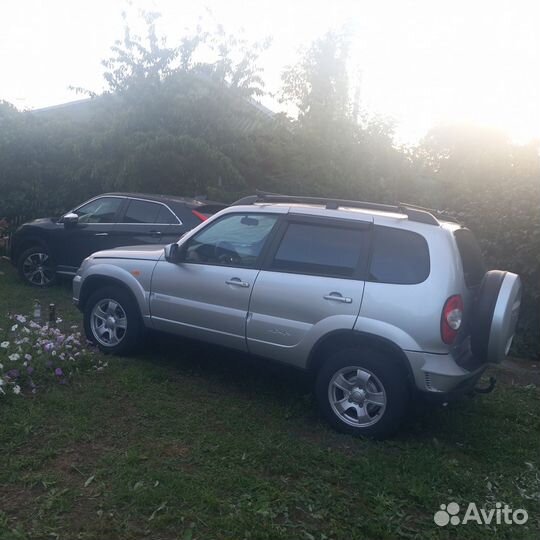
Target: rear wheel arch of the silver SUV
x,y
342,339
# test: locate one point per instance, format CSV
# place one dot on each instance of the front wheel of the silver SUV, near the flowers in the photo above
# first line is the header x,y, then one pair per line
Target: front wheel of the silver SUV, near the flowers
x,y
130,338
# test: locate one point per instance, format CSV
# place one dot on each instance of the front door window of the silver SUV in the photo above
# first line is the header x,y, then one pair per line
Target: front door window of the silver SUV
x,y
234,240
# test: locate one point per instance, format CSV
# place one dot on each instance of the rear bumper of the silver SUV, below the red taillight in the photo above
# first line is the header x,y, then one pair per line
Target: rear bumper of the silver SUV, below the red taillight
x,y
440,374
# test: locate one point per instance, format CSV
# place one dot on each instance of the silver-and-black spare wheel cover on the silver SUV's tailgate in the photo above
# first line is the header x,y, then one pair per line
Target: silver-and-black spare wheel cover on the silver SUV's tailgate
x,y
495,315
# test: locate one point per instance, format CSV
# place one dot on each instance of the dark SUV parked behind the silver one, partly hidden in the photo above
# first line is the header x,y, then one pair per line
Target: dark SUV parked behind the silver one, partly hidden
x,y
43,248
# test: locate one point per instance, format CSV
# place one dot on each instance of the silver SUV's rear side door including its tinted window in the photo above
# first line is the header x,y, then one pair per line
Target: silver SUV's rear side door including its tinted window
x,y
311,284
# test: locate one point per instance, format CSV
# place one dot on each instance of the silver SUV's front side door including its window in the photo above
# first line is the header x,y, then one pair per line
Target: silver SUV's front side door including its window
x,y
207,295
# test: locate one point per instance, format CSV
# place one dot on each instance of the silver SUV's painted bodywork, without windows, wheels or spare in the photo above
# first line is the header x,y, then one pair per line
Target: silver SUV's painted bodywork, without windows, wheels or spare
x,y
284,316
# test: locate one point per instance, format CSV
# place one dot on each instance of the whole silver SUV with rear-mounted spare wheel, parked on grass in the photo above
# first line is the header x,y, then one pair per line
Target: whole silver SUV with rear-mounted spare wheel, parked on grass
x,y
376,301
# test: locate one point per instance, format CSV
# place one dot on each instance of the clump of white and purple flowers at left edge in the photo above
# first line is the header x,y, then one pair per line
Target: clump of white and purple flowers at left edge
x,y
33,354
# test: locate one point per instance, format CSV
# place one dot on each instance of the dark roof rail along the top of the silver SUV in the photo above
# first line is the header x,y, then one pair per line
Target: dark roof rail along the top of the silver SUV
x,y
414,213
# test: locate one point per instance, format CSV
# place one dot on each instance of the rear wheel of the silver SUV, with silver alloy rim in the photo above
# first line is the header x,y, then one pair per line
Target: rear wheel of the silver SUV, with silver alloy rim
x,y
386,375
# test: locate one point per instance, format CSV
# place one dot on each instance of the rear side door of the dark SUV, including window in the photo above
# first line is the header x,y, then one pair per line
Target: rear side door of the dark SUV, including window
x,y
148,222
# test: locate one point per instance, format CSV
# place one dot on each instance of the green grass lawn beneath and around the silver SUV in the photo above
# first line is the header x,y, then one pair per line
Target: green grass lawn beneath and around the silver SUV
x,y
191,441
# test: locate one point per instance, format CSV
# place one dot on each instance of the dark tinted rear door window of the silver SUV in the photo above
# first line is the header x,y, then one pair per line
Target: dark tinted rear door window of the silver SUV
x,y
321,250
